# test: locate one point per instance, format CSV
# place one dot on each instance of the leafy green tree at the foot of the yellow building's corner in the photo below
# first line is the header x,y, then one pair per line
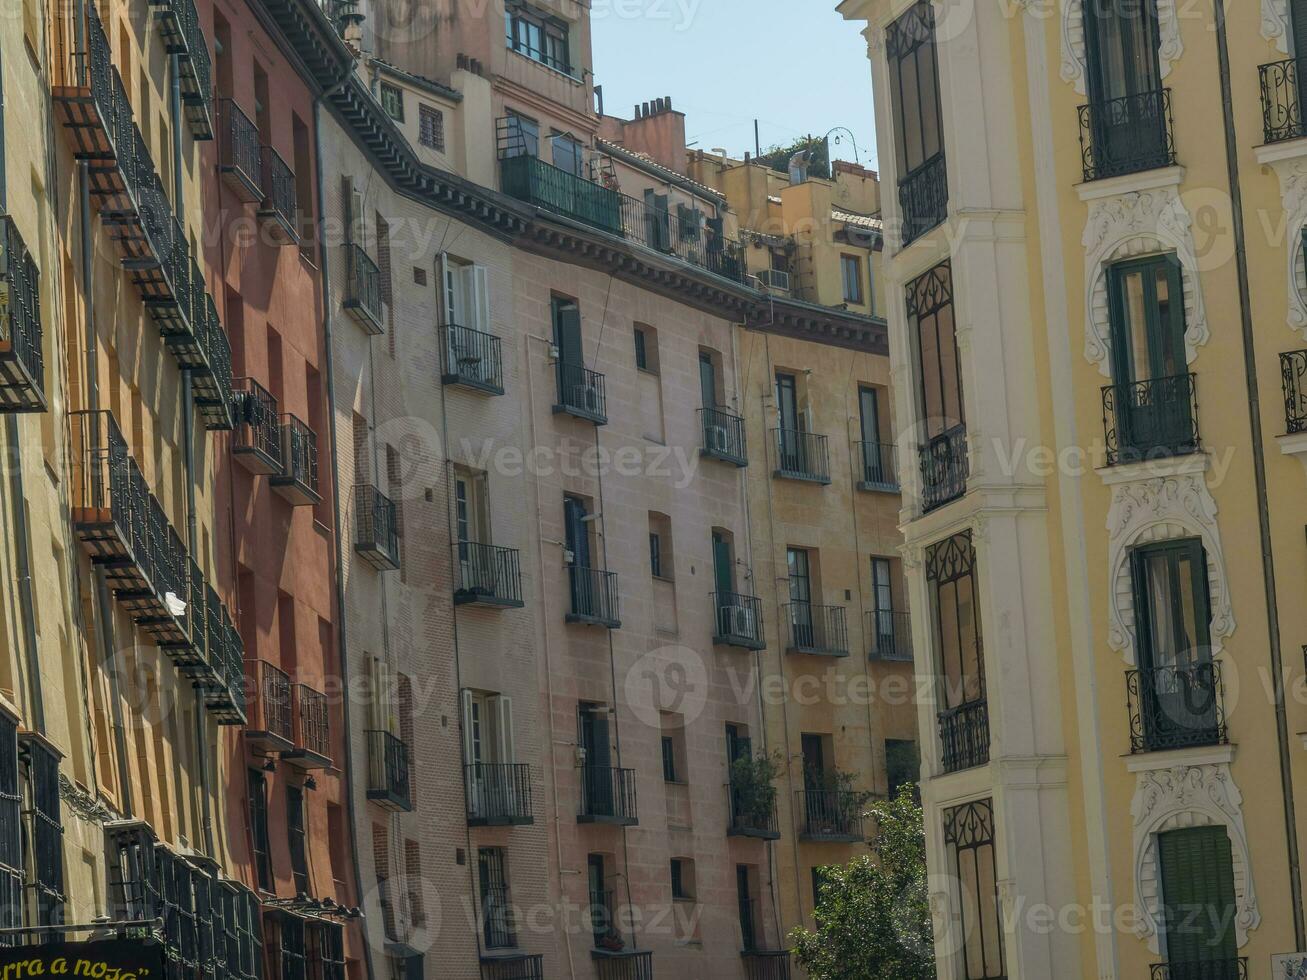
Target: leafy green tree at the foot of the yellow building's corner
x,y
874,915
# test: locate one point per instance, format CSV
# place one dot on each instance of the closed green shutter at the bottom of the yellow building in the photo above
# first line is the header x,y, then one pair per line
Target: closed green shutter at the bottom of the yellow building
x,y
1198,896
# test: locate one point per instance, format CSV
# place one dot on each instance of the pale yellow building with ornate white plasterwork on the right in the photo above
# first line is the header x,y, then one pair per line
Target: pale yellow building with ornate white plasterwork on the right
x,y
1095,276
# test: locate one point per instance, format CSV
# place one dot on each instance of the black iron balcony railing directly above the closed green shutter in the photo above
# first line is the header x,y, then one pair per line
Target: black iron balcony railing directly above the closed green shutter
x,y
1177,708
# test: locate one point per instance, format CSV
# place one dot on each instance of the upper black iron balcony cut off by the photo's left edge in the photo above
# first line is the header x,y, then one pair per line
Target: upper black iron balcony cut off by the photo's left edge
x,y
23,368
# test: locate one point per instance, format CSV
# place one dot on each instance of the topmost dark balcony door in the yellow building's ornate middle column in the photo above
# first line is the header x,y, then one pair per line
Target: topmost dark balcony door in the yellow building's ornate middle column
x,y
1125,84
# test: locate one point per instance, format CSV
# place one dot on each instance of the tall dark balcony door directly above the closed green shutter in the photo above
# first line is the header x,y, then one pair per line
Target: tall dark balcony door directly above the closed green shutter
x,y
1177,679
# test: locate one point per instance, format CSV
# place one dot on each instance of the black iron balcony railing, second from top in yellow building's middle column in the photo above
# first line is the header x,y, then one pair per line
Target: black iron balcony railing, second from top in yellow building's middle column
x,y
1151,420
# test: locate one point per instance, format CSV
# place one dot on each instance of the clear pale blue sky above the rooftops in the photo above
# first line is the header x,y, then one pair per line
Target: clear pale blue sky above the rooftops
x,y
797,66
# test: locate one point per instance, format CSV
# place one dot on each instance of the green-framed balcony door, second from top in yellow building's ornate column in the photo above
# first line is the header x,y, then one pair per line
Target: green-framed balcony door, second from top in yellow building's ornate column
x,y
1150,368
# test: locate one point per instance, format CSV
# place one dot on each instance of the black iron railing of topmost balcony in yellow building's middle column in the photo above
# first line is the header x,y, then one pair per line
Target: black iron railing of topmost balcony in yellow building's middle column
x,y
1127,135
